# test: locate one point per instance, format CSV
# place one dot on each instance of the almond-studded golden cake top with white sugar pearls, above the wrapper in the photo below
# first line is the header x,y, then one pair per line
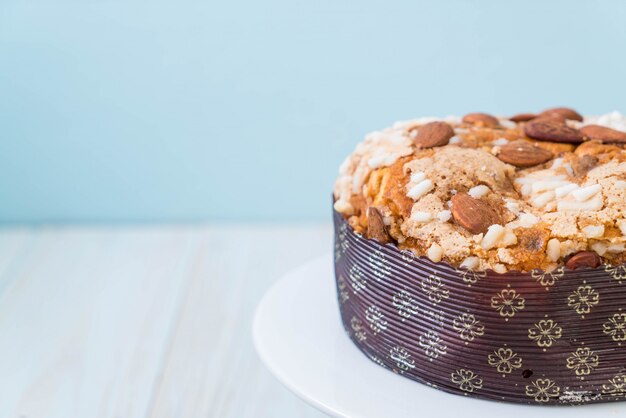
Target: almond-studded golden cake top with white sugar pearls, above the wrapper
x,y
532,191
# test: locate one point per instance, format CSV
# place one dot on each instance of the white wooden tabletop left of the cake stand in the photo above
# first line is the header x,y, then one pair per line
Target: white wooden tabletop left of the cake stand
x,y
145,321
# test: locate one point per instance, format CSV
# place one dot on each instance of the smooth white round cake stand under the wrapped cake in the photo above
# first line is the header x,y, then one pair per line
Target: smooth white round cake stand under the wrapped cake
x,y
299,336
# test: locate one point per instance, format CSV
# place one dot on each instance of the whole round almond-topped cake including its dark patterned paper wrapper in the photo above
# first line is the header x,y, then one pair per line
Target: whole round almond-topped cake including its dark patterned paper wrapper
x,y
485,255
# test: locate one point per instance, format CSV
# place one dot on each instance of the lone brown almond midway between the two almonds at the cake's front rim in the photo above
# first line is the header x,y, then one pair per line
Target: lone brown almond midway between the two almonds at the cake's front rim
x,y
473,214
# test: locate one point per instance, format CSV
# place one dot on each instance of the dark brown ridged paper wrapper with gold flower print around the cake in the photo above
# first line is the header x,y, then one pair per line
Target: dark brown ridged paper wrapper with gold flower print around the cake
x,y
538,338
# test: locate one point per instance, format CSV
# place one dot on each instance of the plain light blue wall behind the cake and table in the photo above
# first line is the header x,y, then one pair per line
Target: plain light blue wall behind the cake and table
x,y
186,110
